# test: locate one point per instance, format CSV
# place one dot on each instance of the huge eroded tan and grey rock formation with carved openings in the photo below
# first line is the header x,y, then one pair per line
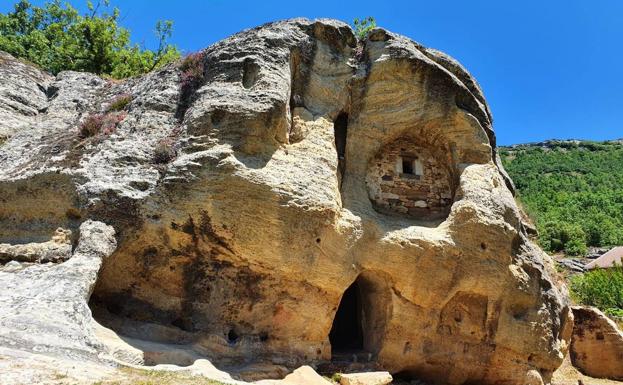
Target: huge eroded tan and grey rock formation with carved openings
x,y
245,244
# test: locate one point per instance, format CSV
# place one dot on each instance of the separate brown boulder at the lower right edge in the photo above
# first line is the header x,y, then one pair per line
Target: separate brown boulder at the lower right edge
x,y
596,344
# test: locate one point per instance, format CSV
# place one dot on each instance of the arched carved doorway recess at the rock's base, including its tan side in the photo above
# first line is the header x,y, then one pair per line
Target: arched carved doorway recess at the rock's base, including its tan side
x,y
359,324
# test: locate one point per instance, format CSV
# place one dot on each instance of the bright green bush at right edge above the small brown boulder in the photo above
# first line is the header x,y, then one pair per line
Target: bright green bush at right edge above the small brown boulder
x,y
602,288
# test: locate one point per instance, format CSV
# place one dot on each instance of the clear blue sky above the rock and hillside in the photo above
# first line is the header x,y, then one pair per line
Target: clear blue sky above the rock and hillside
x,y
549,69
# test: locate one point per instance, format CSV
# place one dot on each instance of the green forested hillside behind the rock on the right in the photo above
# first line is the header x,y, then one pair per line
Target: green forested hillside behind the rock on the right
x,y
572,190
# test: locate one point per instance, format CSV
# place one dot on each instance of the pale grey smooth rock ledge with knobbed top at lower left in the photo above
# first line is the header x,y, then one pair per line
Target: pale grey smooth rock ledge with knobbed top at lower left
x,y
44,308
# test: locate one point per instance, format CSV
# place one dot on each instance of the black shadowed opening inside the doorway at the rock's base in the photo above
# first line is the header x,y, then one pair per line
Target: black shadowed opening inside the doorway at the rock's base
x,y
347,331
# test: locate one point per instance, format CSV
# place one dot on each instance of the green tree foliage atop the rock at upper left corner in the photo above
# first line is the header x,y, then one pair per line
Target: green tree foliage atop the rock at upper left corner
x,y
57,38
